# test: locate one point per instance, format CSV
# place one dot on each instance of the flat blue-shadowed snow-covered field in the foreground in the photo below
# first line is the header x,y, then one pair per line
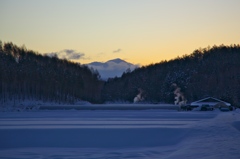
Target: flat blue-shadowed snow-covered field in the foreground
x,y
117,134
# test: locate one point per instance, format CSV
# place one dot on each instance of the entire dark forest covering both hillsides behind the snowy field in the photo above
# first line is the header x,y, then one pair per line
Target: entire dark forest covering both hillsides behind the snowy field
x,y
212,71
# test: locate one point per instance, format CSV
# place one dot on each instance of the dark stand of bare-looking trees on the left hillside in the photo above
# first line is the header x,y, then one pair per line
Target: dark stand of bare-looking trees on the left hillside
x,y
25,74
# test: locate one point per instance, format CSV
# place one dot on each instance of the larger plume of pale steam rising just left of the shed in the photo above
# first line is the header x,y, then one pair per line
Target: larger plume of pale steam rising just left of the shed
x,y
179,96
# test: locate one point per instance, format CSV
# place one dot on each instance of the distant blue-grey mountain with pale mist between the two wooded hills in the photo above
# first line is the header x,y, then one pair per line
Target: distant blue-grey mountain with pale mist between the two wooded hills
x,y
112,68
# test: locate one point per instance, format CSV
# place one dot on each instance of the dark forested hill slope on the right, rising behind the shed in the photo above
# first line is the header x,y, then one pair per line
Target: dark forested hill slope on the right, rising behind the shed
x,y
206,72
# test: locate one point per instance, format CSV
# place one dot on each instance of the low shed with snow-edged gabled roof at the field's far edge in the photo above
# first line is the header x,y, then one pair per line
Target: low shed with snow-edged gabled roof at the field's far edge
x,y
210,101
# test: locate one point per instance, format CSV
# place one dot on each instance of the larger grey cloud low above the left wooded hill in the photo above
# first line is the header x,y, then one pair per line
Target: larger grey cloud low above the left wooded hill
x,y
68,54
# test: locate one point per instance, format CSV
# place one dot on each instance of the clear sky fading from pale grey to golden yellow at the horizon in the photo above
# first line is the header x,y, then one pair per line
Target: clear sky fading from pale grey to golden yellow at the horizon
x,y
138,31
